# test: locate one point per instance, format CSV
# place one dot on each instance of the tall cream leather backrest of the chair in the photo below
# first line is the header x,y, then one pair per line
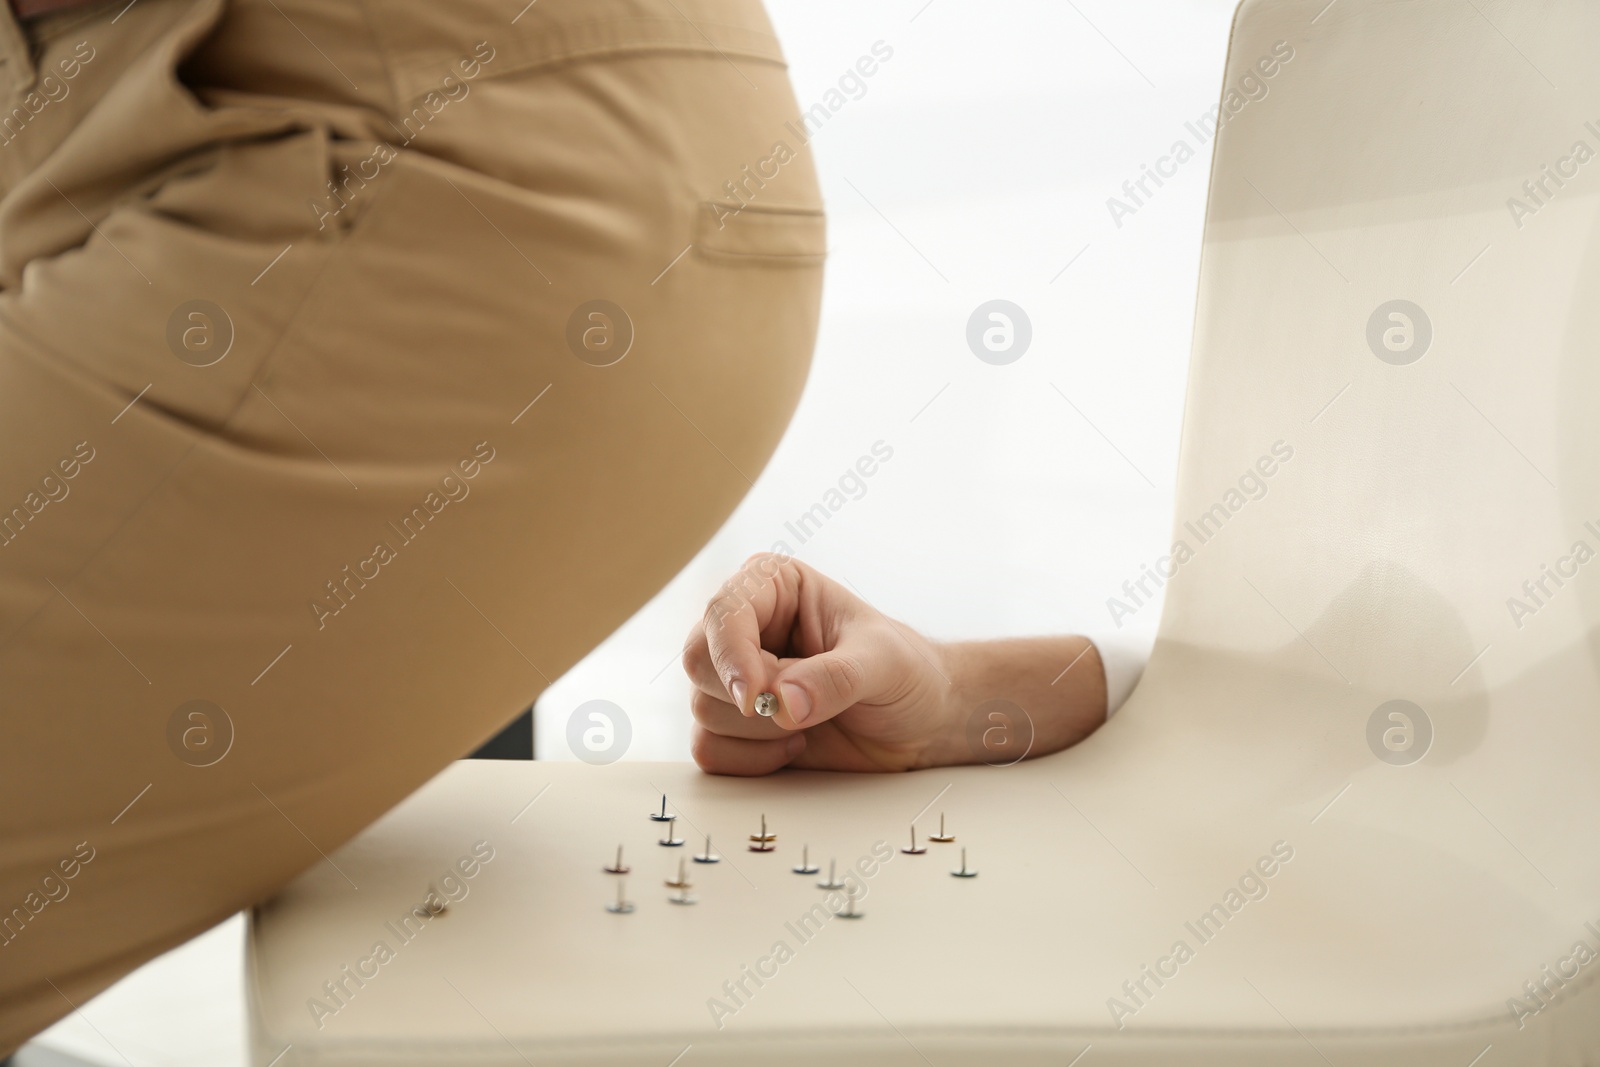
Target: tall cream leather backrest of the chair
x,y
1390,486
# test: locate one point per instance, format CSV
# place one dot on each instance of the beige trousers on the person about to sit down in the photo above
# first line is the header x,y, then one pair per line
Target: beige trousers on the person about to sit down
x,y
362,366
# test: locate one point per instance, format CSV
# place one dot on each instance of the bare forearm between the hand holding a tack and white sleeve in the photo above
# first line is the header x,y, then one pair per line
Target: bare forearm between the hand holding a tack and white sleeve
x,y
1058,682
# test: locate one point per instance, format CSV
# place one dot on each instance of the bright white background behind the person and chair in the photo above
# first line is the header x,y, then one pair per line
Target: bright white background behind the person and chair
x,y
985,153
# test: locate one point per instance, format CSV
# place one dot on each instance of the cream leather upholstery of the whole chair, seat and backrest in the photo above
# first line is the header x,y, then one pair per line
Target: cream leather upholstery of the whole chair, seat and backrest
x,y
1417,911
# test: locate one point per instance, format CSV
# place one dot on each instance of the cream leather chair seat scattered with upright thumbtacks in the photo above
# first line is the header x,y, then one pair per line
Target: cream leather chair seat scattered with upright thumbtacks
x,y
1359,913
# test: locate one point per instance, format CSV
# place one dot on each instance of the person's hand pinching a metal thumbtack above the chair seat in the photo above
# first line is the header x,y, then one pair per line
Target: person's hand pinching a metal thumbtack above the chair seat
x,y
857,692
